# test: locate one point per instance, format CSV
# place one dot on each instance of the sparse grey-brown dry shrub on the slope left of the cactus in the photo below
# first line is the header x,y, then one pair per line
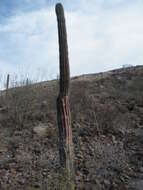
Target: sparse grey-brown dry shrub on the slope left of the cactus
x,y
21,103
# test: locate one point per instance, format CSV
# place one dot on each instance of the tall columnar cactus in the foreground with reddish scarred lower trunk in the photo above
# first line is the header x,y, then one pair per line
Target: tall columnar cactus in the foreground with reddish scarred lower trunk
x,y
63,108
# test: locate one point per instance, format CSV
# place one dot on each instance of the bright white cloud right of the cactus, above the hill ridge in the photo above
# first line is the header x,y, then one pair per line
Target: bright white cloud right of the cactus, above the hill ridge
x,y
106,40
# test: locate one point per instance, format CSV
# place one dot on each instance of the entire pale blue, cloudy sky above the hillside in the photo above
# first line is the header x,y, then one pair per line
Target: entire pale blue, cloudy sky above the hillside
x,y
102,35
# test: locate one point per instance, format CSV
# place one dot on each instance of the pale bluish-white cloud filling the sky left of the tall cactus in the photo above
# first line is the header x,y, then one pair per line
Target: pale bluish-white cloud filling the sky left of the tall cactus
x,y
30,41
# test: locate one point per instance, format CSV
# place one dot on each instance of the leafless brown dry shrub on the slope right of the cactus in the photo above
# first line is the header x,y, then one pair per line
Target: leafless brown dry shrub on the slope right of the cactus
x,y
98,117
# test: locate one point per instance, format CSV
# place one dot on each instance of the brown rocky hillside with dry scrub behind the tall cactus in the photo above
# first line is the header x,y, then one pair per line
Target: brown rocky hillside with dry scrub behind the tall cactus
x,y
107,124
